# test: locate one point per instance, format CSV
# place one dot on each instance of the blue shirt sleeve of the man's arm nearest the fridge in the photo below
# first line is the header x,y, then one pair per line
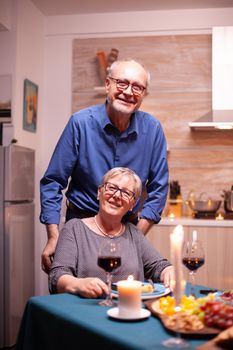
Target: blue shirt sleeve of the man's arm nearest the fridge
x,y
57,175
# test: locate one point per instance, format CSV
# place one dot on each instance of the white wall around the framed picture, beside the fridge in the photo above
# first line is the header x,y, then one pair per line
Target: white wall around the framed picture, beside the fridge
x,y
30,65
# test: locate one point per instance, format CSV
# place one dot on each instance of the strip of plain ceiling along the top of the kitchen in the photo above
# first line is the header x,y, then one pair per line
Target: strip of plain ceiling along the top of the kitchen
x,y
69,7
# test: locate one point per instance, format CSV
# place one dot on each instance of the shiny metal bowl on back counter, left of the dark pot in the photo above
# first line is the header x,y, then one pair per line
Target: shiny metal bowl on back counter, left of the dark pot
x,y
206,205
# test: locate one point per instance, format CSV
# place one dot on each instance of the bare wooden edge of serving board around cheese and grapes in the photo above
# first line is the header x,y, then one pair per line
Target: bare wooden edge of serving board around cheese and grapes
x,y
153,306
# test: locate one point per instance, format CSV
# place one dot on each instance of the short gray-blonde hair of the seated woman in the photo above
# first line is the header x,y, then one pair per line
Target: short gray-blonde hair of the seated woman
x,y
124,171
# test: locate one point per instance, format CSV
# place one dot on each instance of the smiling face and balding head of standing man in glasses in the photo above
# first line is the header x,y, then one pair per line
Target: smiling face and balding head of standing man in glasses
x,y
125,99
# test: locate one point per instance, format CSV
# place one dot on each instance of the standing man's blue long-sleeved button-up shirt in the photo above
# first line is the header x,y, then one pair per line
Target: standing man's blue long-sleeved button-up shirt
x,y
89,146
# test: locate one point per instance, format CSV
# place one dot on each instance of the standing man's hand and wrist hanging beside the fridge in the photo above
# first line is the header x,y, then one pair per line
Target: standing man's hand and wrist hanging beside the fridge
x,y
49,250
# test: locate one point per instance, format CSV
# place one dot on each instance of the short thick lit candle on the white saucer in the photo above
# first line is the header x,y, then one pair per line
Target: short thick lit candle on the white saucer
x,y
129,297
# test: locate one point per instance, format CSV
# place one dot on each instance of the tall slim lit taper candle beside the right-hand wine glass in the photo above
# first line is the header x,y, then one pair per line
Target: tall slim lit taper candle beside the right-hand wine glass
x,y
176,240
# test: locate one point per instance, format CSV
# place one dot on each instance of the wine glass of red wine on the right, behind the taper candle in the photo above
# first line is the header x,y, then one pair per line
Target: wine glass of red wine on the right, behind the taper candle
x,y
193,257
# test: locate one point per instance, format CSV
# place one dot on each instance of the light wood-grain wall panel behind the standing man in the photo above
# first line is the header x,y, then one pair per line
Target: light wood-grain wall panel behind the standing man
x,y
180,91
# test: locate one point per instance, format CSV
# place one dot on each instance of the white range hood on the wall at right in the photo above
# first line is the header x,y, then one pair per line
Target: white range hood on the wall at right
x,y
221,115
